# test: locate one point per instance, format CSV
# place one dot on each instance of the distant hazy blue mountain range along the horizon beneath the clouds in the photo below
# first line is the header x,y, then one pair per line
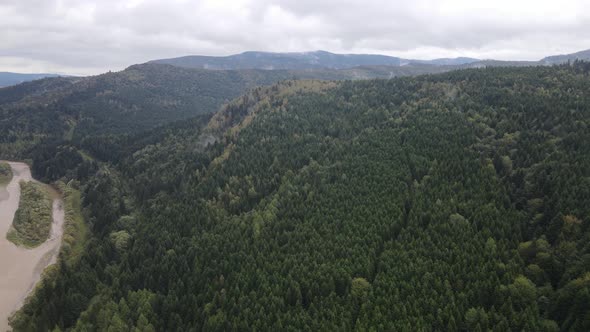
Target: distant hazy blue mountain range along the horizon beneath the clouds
x,y
359,66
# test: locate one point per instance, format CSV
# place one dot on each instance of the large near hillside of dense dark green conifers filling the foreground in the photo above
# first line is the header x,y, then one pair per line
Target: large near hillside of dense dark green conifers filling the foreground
x,y
449,202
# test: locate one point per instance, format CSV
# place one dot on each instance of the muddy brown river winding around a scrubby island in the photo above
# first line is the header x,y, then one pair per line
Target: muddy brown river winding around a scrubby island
x,y
20,268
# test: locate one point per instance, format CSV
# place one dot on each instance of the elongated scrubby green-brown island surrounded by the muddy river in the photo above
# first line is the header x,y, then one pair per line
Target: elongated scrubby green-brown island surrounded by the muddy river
x,y
32,220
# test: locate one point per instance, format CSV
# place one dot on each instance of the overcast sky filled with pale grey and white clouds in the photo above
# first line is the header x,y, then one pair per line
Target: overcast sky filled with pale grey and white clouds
x,y
85,37
